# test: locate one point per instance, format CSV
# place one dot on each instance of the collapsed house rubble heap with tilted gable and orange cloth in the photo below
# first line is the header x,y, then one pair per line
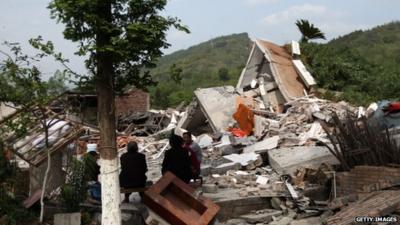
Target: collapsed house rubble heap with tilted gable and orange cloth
x,y
269,152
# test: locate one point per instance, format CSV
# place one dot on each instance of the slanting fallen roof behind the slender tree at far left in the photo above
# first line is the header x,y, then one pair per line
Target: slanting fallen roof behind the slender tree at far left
x,y
30,144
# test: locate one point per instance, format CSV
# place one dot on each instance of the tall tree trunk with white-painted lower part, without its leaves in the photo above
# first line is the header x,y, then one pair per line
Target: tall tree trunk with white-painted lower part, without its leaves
x,y
110,193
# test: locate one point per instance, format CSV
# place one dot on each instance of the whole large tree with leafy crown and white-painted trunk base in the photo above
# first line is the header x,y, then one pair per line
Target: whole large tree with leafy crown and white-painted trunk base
x,y
122,39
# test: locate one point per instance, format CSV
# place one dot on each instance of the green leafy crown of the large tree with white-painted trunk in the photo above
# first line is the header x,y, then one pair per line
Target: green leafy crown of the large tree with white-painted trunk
x,y
136,30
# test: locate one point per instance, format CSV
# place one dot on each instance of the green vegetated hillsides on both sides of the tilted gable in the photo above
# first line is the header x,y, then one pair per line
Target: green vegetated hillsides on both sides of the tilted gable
x,y
364,66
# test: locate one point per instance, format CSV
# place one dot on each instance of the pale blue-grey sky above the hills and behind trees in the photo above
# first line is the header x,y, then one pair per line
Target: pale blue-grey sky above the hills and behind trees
x,y
267,19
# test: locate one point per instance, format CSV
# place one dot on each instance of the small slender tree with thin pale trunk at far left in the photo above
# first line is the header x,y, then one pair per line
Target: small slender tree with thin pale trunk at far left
x,y
22,86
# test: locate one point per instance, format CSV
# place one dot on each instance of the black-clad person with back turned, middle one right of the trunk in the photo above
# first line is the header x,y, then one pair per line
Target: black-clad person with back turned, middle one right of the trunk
x,y
176,160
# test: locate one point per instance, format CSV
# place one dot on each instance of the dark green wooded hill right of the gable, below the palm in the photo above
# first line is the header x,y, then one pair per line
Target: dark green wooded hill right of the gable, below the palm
x,y
364,65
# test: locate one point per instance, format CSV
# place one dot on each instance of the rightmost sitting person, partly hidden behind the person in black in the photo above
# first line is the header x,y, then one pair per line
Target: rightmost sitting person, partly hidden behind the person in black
x,y
195,154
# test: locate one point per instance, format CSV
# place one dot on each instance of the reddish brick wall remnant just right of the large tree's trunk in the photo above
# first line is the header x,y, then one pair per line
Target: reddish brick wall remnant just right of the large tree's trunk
x,y
135,100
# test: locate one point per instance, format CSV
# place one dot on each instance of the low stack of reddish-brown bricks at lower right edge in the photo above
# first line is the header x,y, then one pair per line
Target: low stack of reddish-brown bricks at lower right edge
x,y
365,179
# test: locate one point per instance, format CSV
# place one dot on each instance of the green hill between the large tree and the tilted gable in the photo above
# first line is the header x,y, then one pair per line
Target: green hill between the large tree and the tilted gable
x,y
213,63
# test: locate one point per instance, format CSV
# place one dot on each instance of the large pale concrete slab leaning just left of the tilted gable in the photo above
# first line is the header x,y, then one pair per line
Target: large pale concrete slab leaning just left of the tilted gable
x,y
218,105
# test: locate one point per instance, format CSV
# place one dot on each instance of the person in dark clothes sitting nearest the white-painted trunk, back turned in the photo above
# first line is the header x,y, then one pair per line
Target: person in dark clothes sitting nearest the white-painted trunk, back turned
x,y
133,169
